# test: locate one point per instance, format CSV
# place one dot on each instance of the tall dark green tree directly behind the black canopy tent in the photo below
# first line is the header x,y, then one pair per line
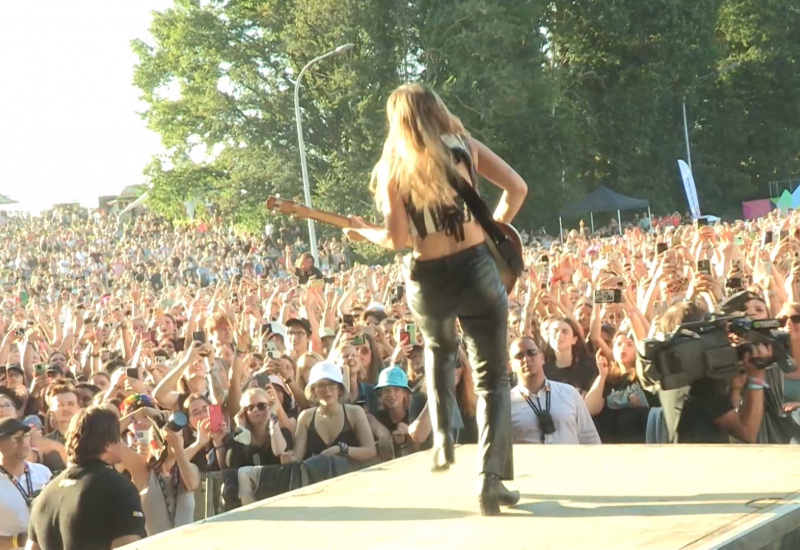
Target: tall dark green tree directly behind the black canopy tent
x,y
630,62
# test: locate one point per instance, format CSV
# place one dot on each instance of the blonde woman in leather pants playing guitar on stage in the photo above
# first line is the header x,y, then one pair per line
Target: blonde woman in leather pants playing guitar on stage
x,y
452,276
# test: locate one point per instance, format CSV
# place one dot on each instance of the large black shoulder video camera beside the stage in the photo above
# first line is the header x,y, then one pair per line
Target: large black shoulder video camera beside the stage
x,y
705,349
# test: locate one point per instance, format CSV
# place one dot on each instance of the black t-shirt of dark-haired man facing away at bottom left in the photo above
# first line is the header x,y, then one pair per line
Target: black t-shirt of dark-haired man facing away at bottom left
x,y
86,507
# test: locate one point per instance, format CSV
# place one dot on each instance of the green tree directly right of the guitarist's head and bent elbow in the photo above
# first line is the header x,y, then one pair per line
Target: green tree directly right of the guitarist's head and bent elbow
x,y
488,60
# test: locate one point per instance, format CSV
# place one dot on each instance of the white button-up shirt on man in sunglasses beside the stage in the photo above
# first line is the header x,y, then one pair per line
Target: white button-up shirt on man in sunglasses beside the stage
x,y
570,416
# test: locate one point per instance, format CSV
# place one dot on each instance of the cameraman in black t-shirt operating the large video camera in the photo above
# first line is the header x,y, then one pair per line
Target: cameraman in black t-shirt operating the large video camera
x,y
705,411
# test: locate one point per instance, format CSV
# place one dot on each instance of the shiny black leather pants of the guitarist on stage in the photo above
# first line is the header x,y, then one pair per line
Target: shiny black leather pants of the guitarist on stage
x,y
466,287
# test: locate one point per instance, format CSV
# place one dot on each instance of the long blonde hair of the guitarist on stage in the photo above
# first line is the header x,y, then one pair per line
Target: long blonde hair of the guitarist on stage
x,y
414,156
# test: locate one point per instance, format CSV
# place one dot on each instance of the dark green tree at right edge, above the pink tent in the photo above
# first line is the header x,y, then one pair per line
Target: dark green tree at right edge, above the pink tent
x,y
747,121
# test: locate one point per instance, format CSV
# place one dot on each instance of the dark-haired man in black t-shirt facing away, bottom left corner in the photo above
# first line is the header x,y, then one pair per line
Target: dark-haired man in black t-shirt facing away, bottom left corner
x,y
89,506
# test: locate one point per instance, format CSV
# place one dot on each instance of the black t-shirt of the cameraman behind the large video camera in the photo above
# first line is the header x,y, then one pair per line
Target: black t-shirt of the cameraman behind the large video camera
x,y
706,401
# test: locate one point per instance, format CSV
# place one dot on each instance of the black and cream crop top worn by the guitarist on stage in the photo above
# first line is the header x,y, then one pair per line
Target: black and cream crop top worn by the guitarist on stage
x,y
448,218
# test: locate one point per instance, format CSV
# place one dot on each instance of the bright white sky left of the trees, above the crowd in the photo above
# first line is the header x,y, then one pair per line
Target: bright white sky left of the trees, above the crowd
x,y
68,123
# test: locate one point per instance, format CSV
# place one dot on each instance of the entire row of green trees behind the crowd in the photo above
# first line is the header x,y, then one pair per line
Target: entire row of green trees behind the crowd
x,y
571,93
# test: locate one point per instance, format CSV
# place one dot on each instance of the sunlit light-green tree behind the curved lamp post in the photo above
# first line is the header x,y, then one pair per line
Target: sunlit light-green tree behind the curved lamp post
x,y
219,79
